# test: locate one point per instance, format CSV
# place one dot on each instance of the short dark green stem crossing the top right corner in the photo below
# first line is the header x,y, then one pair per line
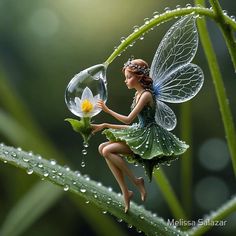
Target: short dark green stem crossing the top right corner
x,y
226,30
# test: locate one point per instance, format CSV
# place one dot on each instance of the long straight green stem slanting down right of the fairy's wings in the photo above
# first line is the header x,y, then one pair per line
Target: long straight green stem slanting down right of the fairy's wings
x,y
219,88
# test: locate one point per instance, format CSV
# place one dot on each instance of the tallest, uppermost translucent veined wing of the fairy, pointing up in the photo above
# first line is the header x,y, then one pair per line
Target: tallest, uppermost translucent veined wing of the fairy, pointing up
x,y
177,48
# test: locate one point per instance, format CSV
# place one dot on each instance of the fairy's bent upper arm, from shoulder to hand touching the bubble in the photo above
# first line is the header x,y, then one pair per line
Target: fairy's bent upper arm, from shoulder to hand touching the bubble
x,y
145,98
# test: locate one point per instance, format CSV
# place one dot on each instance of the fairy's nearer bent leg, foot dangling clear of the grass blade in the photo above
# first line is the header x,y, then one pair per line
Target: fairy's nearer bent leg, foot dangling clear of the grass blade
x,y
111,152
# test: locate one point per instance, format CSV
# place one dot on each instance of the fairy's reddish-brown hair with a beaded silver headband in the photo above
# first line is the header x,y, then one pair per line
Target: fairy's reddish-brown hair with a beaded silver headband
x,y
141,69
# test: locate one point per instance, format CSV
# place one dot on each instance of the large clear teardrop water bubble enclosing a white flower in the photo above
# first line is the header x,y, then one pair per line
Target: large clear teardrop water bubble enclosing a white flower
x,y
85,89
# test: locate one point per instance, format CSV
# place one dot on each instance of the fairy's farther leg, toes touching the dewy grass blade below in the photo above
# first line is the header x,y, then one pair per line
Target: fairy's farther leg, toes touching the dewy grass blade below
x,y
118,174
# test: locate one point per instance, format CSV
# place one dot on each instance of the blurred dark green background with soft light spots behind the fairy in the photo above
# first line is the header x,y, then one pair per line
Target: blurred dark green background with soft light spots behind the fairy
x,y
43,44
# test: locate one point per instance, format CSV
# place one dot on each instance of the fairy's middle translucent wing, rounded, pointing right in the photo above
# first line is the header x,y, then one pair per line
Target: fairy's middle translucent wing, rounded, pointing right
x,y
181,85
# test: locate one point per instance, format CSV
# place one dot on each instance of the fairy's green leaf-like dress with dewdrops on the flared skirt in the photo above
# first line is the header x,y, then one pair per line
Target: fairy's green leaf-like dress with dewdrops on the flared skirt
x,y
150,143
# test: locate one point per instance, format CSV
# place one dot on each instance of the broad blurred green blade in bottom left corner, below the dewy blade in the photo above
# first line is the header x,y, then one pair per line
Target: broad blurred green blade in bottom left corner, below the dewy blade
x,y
25,213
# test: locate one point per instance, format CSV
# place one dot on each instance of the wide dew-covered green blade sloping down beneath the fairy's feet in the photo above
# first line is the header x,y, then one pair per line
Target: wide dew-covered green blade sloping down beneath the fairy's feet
x,y
87,189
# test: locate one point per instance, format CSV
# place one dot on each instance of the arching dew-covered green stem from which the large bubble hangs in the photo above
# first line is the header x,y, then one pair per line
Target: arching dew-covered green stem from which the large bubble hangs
x,y
160,19
